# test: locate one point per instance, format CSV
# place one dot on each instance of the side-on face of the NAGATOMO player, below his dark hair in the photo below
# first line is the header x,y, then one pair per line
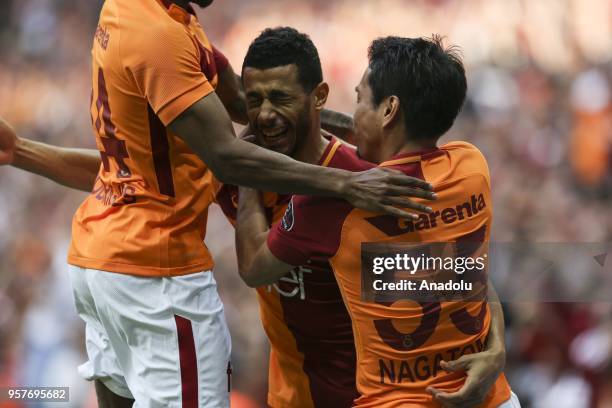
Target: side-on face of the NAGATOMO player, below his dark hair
x,y
367,121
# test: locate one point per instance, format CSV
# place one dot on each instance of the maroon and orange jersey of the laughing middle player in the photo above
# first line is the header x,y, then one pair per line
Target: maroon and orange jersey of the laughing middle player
x,y
312,352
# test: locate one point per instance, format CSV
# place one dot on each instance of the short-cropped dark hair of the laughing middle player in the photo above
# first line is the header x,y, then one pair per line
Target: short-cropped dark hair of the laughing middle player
x,y
276,47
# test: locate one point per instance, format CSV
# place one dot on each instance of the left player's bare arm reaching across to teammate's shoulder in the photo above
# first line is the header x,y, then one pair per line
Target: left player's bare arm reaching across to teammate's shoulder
x,y
207,129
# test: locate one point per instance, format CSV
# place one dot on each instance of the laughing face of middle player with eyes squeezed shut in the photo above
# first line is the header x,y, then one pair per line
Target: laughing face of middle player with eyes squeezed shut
x,y
278,107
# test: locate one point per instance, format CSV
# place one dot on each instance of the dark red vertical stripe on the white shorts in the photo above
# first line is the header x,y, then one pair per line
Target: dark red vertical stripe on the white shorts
x,y
189,365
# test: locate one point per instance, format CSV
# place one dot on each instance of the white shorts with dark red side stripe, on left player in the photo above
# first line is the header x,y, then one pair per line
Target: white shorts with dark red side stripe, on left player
x,y
161,341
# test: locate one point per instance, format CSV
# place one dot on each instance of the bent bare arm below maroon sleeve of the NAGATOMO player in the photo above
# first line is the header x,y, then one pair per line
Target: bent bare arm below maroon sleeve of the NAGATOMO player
x,y
256,264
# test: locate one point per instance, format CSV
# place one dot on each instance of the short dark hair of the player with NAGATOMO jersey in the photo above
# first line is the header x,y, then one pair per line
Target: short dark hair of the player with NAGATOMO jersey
x,y
428,79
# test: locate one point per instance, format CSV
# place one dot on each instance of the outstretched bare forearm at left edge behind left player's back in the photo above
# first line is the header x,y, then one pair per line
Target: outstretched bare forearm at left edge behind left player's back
x,y
74,168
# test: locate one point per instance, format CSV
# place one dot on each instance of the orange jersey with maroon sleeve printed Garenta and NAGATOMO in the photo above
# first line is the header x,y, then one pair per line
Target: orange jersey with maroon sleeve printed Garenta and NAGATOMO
x,y
400,344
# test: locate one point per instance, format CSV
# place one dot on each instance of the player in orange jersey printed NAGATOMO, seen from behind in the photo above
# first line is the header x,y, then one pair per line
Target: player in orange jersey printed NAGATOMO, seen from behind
x,y
408,97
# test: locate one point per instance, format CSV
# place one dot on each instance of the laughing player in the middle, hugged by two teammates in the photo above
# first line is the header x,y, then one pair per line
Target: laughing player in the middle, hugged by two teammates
x,y
312,361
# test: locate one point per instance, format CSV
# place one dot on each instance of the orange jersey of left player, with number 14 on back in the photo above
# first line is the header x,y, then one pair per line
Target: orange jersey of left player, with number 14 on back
x,y
147,212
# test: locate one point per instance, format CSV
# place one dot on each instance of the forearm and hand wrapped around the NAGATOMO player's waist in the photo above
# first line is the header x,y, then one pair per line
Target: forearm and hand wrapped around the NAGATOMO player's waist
x,y
482,368
